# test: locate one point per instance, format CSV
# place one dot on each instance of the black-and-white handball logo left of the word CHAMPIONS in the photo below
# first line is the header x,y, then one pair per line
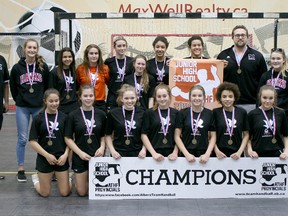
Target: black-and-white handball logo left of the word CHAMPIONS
x,y
107,177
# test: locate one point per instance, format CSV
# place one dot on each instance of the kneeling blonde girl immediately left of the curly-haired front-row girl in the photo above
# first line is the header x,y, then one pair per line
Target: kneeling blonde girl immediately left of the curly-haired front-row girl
x,y
195,134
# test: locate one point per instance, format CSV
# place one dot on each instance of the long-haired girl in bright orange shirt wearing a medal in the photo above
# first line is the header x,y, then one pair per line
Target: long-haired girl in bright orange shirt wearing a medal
x,y
93,72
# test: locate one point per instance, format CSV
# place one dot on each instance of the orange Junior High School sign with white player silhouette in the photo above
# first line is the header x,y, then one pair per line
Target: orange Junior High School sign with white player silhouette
x,y
185,73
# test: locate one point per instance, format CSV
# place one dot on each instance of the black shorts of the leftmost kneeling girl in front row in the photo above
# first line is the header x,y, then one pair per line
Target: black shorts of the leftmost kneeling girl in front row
x,y
43,166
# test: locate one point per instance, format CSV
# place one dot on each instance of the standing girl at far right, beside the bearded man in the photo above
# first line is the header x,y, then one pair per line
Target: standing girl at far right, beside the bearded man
x,y
277,77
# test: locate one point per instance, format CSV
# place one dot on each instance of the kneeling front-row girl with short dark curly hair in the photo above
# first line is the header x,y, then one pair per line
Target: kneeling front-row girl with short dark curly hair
x,y
231,123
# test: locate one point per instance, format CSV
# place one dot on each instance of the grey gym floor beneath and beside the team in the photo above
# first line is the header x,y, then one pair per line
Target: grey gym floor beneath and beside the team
x,y
21,198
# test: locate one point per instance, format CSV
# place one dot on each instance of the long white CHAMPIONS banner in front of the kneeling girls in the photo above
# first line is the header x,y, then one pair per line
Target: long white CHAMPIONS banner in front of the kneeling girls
x,y
134,178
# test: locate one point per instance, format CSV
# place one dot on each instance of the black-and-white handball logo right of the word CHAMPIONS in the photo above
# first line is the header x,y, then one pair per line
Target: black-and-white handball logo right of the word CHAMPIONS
x,y
274,177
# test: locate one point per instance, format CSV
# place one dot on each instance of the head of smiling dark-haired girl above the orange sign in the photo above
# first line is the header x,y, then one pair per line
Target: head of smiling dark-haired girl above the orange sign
x,y
196,47
